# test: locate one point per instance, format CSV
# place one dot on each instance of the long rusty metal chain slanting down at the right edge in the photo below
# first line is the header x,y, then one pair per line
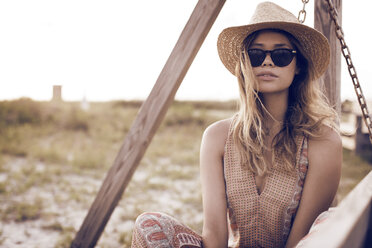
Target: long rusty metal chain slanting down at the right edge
x,y
346,53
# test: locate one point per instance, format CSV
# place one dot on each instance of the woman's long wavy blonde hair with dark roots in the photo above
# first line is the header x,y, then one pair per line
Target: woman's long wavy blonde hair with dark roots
x,y
308,110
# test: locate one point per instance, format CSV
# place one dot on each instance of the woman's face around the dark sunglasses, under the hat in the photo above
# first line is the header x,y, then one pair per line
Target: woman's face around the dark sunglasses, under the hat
x,y
272,78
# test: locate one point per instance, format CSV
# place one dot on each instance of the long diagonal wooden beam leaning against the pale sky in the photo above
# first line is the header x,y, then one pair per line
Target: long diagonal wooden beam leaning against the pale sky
x,y
147,122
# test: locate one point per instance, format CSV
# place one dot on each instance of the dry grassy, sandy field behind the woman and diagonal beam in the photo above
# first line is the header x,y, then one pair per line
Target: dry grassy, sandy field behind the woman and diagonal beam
x,y
54,157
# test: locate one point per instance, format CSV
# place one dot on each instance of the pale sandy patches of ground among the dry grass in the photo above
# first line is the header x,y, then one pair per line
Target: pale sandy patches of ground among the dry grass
x,y
61,216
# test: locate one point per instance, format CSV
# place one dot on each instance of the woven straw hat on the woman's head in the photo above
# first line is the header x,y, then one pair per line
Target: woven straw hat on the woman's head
x,y
271,16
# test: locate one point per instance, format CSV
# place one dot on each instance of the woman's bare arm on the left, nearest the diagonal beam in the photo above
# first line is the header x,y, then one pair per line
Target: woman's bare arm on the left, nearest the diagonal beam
x,y
215,232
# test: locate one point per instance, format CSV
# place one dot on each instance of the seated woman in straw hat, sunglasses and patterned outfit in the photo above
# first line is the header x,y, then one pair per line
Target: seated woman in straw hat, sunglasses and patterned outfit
x,y
274,166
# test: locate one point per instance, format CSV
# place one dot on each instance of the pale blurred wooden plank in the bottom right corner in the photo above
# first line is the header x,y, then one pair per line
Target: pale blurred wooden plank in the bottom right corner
x,y
350,225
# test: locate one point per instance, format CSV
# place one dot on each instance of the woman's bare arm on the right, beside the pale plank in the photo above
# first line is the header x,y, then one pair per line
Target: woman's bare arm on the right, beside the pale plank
x,y
321,183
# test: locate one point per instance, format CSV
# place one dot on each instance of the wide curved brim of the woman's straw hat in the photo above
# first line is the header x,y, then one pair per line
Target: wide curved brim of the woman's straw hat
x,y
315,45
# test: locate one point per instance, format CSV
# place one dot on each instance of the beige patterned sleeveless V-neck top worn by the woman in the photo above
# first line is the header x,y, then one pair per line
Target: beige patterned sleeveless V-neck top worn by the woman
x,y
262,220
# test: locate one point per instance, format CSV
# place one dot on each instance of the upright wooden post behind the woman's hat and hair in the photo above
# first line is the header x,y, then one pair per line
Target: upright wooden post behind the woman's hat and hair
x,y
324,24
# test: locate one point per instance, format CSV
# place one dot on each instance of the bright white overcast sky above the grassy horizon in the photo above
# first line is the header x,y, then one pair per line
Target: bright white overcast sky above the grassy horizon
x,y
115,50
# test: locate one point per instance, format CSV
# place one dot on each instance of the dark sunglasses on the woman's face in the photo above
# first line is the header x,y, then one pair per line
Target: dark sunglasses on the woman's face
x,y
281,57
